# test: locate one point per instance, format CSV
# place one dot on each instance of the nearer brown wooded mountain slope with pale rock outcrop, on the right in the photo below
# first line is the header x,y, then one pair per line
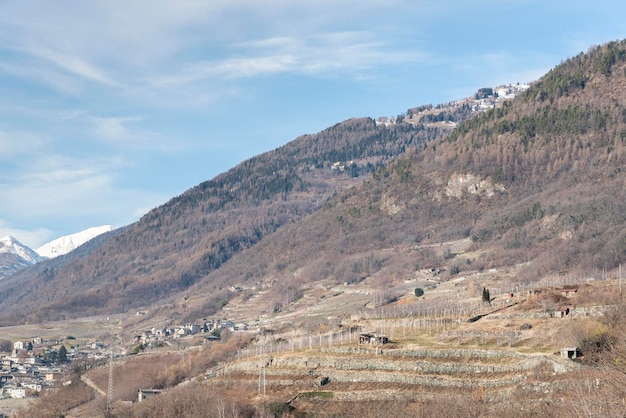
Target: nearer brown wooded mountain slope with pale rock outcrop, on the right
x,y
538,181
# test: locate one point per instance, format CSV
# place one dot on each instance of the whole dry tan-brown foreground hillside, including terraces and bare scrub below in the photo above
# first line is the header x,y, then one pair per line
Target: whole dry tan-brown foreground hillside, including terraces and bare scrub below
x,y
508,363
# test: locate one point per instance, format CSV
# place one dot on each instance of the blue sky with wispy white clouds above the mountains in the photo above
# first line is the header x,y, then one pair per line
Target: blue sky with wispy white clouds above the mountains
x,y
109,108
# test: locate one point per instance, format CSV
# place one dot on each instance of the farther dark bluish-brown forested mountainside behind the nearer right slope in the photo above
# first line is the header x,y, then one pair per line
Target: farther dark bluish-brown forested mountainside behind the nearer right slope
x,y
179,243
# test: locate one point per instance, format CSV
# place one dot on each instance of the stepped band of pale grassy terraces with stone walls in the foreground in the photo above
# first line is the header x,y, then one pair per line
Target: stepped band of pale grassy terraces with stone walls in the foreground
x,y
362,369
